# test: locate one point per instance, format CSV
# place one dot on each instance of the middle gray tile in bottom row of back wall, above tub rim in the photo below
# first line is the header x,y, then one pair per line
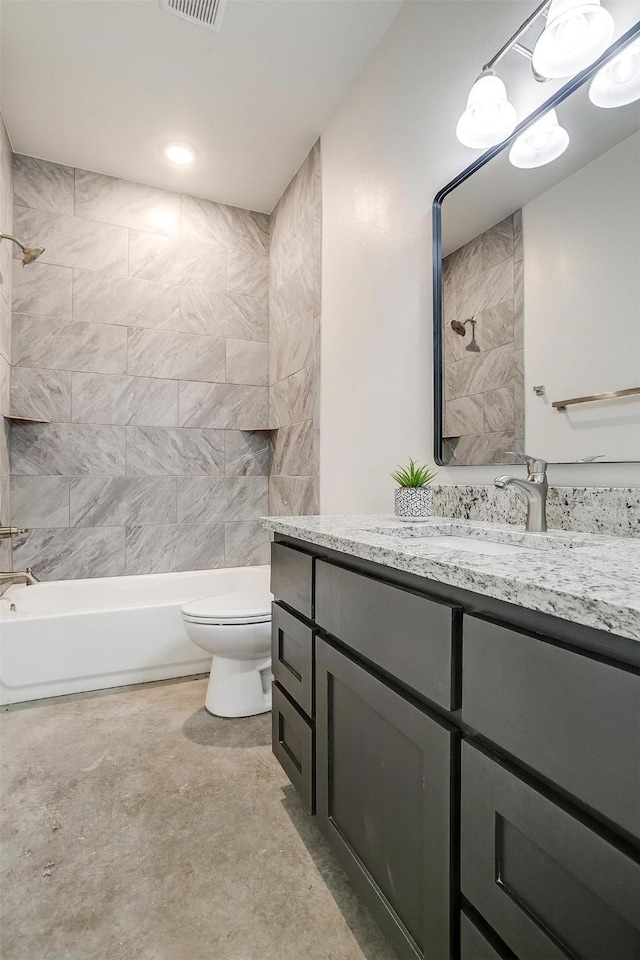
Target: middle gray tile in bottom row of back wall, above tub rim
x,y
160,549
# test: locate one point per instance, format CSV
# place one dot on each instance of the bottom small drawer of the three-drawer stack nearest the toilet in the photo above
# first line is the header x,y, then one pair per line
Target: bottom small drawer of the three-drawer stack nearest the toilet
x,y
292,745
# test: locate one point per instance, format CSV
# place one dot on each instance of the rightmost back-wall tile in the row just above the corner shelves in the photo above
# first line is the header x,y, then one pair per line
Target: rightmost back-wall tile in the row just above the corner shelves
x,y
224,405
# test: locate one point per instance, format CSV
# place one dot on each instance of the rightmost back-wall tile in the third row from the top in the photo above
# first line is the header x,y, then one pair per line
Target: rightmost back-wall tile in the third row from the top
x,y
223,315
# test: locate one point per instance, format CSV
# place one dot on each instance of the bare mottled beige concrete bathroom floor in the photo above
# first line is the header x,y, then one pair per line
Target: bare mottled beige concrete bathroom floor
x,y
135,825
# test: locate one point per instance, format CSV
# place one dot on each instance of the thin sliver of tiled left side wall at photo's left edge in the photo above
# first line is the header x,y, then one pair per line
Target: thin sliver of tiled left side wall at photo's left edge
x,y
6,226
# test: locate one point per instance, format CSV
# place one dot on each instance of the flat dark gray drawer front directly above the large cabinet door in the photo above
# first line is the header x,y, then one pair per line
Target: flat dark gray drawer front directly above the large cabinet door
x,y
405,634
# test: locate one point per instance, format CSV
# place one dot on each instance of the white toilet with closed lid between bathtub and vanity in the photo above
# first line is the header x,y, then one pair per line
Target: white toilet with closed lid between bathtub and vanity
x,y
236,629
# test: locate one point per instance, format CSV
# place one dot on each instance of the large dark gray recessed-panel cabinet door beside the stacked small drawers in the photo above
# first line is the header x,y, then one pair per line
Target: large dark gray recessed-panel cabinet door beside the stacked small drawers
x,y
383,775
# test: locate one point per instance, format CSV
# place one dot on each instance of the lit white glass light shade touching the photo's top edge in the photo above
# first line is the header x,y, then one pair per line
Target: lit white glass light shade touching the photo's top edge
x,y
575,35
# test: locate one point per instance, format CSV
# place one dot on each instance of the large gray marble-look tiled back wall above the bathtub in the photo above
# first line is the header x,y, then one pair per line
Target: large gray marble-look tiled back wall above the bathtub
x,y
141,337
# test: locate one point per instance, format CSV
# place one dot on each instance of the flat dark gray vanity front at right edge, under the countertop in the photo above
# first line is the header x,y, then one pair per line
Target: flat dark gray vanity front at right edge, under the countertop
x,y
573,719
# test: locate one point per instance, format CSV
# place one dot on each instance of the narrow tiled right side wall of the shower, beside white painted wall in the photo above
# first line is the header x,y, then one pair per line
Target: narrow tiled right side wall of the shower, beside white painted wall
x,y
294,335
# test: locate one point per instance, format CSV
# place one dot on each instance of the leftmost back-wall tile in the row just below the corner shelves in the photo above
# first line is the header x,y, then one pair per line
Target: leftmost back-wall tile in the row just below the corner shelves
x,y
67,449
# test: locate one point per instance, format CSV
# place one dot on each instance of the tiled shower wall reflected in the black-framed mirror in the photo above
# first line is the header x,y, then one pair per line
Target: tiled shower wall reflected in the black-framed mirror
x,y
484,390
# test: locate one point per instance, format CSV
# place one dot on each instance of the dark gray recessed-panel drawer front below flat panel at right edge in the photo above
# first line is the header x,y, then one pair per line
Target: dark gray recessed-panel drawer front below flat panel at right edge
x,y
549,886
